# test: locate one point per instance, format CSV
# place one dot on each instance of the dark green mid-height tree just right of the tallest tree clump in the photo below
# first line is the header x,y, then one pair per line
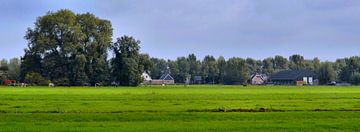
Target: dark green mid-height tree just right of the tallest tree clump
x,y
126,67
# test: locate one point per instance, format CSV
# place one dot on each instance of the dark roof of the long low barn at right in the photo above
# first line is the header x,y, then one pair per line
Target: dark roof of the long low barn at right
x,y
291,74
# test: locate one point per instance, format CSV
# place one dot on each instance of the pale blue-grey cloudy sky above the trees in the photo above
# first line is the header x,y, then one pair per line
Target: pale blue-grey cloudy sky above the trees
x,y
327,29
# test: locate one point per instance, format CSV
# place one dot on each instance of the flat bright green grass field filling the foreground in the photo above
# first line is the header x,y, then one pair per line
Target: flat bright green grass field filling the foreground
x,y
179,108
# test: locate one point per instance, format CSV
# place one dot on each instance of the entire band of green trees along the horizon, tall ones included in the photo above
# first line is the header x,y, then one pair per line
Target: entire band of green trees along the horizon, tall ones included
x,y
72,49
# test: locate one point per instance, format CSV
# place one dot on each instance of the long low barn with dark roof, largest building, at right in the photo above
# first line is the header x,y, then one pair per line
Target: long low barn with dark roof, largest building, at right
x,y
293,77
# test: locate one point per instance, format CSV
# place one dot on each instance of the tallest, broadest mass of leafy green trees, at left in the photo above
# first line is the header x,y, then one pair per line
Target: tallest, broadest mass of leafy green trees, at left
x,y
72,48
